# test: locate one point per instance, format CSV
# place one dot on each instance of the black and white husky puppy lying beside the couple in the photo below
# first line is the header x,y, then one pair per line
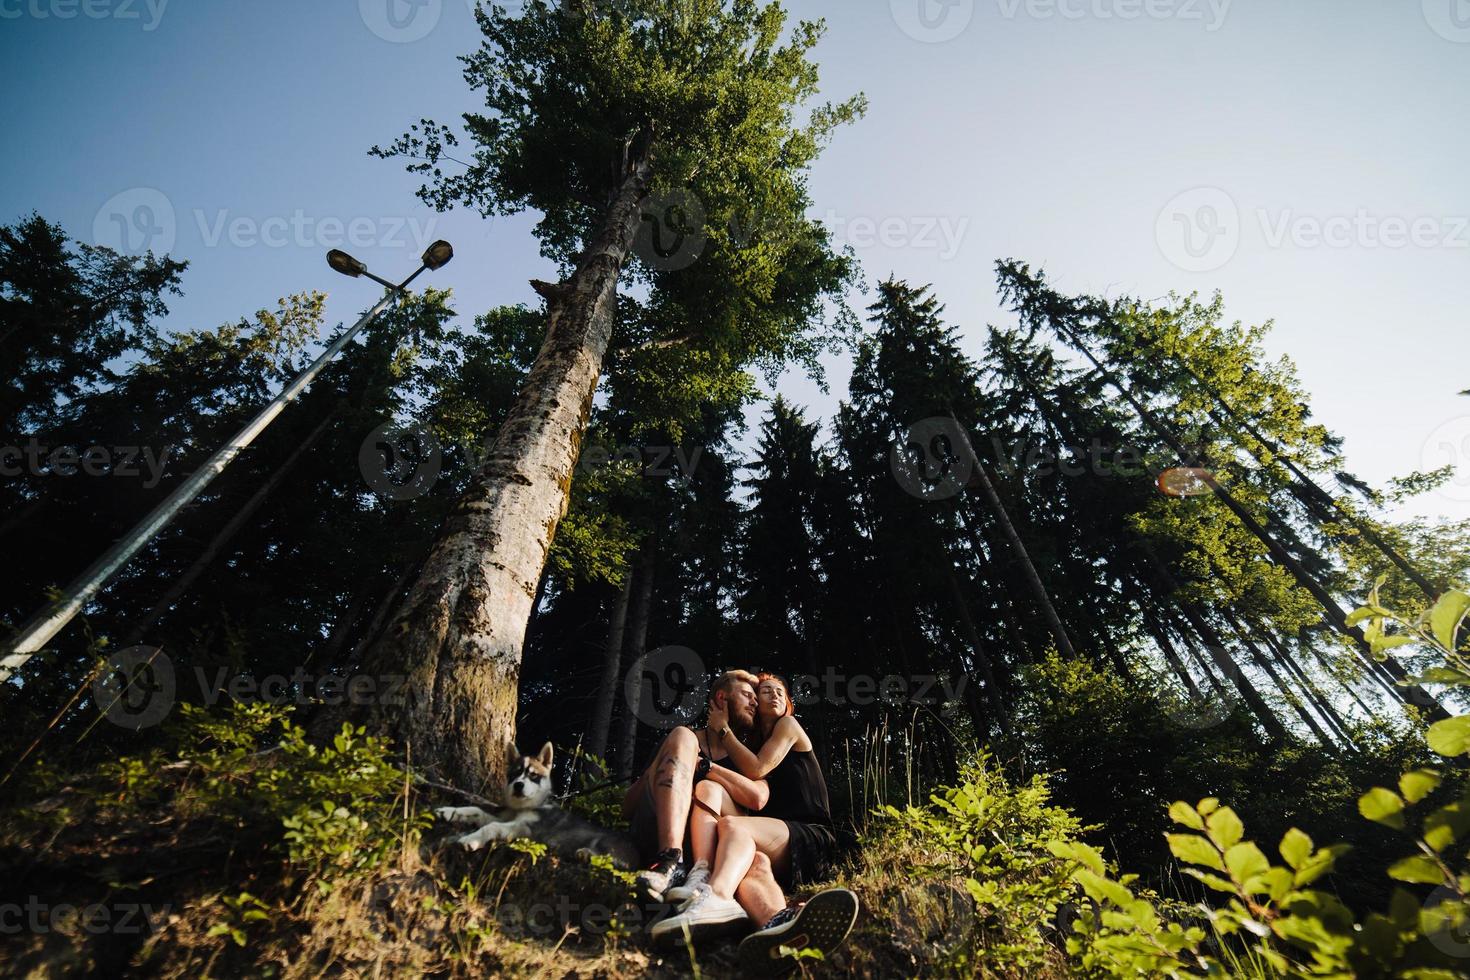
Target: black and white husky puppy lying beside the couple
x,y
531,813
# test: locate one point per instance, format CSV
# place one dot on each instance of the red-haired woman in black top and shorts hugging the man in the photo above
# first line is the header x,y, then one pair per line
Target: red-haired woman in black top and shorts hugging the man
x,y
745,863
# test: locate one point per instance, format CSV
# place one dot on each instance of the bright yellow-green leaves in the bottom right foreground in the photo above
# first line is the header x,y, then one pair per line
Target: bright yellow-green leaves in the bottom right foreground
x,y
1272,915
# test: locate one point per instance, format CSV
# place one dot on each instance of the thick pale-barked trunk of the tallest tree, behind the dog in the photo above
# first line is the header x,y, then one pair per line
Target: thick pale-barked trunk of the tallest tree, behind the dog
x,y
459,634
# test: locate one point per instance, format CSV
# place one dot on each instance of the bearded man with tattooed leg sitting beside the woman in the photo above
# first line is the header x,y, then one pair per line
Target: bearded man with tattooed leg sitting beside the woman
x,y
658,804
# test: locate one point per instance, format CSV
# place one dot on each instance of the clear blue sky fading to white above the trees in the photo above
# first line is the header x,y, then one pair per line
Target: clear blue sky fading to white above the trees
x,y
1309,159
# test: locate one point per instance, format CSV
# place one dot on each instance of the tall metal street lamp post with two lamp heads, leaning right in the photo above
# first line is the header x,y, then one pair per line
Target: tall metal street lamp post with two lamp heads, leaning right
x,y
49,622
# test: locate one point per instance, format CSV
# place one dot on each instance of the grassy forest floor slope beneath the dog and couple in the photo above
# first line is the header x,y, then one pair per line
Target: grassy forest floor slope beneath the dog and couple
x,y
199,897
